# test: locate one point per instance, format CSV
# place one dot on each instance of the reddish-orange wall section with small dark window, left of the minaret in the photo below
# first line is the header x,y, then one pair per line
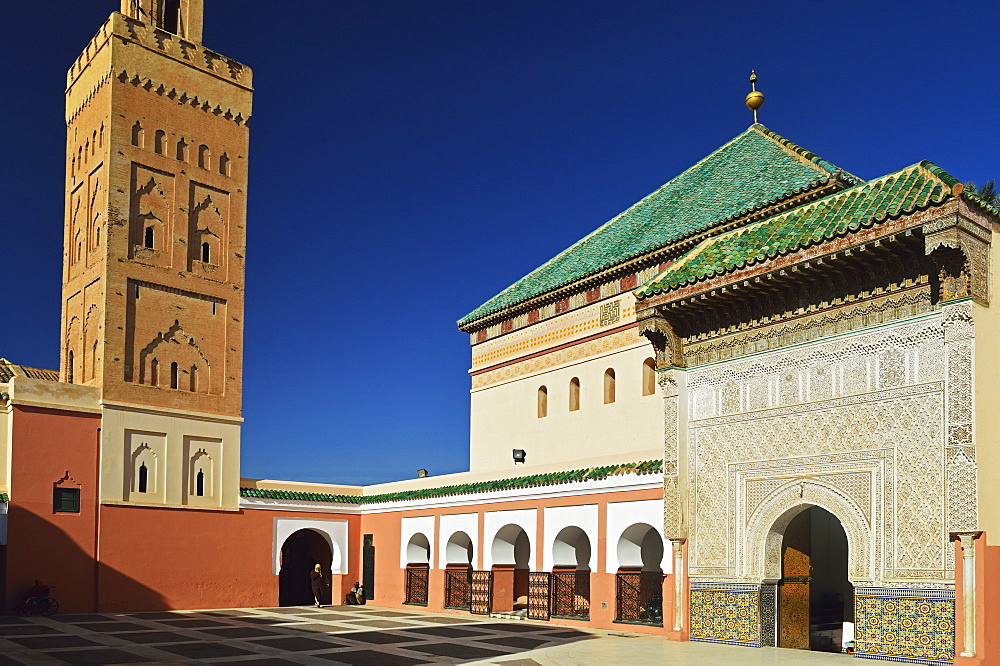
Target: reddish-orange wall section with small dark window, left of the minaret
x,y
57,547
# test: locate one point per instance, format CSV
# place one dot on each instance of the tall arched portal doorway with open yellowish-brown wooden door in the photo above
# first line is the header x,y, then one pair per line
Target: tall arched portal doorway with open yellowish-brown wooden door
x,y
815,596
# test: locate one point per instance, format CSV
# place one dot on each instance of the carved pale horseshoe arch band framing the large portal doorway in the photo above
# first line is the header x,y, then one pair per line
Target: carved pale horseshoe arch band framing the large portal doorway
x,y
766,529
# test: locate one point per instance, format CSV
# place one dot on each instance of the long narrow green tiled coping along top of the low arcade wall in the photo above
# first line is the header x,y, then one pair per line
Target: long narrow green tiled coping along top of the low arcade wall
x,y
549,479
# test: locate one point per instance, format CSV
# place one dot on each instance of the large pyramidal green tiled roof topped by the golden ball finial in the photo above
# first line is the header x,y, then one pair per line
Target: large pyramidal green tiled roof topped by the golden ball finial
x,y
754,170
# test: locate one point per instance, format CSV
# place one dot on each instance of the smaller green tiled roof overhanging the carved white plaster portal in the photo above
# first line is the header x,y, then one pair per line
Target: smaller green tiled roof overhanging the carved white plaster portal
x,y
913,188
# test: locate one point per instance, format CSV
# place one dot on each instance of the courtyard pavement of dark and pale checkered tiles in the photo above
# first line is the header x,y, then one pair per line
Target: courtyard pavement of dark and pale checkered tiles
x,y
349,635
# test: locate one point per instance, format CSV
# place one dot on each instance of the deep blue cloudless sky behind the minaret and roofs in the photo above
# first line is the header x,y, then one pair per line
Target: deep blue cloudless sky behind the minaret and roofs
x,y
410,159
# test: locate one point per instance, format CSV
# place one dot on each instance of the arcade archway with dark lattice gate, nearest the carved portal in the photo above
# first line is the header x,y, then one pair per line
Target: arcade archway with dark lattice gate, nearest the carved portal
x,y
639,581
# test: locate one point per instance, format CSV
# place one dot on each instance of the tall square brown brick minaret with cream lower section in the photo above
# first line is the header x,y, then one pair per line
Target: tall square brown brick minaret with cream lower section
x,y
153,275
